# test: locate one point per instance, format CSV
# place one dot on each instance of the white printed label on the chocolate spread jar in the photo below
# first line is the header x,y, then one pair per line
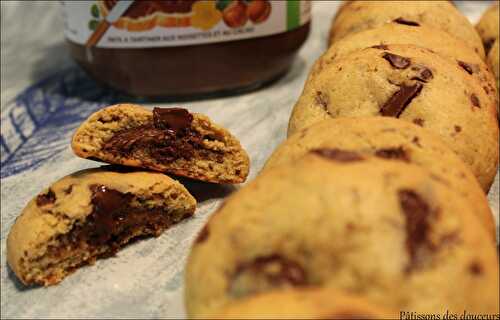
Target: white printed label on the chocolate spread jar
x,y
141,24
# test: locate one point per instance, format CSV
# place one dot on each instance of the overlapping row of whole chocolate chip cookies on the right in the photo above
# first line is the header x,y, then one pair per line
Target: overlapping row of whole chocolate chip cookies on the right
x,y
375,206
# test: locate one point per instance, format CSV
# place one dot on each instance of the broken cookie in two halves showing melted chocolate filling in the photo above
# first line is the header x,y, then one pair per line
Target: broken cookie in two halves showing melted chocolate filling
x,y
93,213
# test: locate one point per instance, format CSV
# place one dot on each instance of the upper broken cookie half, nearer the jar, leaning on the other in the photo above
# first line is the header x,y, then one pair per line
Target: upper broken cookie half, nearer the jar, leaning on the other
x,y
170,140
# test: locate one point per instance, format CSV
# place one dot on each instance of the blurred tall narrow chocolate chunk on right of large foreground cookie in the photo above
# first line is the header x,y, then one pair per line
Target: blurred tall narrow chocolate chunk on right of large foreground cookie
x,y
416,211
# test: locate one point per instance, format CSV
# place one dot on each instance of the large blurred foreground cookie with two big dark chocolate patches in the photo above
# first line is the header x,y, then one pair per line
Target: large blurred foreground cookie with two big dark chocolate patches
x,y
387,231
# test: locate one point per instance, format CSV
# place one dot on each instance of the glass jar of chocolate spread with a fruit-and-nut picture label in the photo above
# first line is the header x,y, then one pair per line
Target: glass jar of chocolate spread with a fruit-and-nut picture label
x,y
185,48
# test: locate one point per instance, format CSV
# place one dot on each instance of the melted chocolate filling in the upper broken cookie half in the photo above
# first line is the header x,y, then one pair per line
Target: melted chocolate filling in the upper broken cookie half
x,y
168,138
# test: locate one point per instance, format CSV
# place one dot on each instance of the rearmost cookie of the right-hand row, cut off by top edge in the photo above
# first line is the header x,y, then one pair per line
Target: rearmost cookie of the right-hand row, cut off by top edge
x,y
361,15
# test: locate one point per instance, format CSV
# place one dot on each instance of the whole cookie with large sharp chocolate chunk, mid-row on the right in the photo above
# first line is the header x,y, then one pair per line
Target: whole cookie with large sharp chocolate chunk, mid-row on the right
x,y
413,84
